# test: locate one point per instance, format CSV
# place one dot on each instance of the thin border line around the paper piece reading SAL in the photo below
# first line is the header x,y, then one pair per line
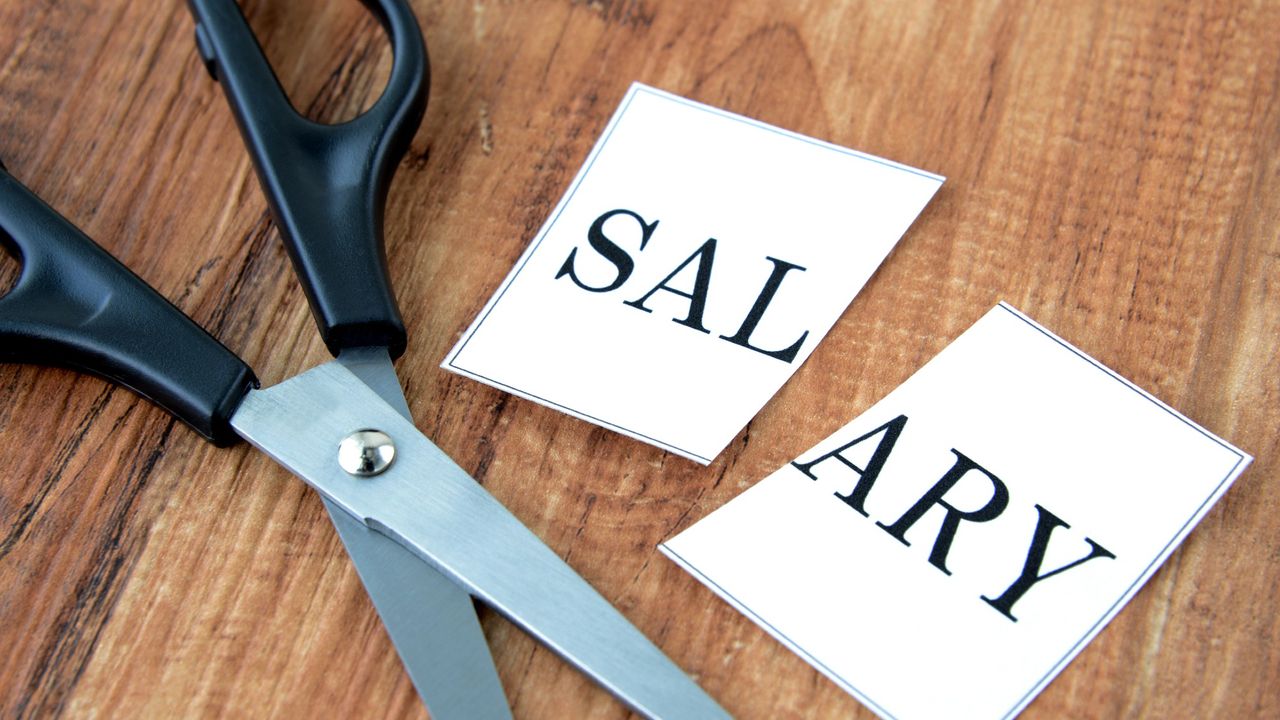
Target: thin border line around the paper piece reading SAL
x,y
637,89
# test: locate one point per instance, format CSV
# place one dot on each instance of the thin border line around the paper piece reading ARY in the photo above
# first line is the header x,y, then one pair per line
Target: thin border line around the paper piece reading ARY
x,y
1219,490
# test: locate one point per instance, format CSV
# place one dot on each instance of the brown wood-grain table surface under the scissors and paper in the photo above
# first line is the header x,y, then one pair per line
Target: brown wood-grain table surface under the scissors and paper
x,y
1114,171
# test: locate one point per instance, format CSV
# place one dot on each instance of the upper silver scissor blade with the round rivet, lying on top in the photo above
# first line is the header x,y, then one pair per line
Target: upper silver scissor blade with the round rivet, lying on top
x,y
435,509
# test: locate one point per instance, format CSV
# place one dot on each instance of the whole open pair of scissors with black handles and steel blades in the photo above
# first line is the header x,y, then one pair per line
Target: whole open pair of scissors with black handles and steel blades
x,y
424,536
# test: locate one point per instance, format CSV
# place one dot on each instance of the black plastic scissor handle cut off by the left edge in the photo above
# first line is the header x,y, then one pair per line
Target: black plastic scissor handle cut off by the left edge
x,y
76,306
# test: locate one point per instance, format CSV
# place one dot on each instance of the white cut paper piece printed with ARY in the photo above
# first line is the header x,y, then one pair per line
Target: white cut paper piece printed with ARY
x,y
1064,436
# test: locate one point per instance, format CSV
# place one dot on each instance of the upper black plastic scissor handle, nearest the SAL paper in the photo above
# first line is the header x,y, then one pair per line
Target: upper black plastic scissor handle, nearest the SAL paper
x,y
327,185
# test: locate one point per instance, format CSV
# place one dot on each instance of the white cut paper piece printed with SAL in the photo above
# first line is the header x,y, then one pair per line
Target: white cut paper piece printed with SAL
x,y
653,329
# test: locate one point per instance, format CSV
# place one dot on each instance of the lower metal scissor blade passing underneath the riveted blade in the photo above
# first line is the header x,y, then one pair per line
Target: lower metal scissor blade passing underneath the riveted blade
x,y
431,621
